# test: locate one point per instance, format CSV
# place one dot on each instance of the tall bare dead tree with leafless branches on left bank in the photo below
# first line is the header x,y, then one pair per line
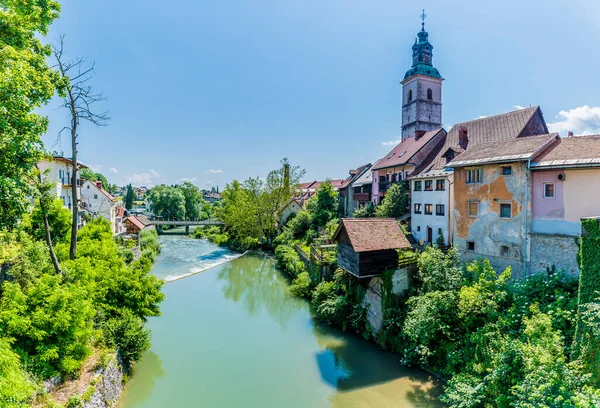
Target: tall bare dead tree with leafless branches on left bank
x,y
79,99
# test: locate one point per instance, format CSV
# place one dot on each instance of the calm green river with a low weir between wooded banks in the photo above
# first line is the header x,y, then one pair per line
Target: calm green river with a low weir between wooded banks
x,y
233,336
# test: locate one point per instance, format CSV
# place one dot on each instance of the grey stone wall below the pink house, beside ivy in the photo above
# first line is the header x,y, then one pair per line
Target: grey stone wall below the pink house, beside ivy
x,y
548,250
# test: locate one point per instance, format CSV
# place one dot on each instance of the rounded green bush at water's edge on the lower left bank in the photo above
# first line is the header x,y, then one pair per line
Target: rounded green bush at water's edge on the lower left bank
x,y
129,336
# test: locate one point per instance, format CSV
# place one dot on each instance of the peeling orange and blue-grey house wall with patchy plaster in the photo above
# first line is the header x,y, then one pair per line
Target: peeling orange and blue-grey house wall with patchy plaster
x,y
488,231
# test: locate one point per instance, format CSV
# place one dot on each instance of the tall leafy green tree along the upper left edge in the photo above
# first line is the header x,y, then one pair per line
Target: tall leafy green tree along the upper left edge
x,y
26,83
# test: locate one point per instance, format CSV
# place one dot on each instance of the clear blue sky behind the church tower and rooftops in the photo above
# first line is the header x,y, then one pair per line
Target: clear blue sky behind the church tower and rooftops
x,y
215,90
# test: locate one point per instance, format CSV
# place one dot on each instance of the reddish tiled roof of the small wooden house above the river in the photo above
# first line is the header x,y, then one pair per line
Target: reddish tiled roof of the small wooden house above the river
x,y
373,234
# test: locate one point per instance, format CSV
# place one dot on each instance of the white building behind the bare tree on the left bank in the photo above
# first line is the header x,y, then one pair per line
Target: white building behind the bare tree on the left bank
x,y
59,170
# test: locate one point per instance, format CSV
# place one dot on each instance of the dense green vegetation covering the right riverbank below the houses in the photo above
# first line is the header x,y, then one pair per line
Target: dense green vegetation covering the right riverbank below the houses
x,y
498,342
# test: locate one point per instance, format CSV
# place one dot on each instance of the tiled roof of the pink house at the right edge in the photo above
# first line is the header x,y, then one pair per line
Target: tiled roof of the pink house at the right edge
x,y
573,151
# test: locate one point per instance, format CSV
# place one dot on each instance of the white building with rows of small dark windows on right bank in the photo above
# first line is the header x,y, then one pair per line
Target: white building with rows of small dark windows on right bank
x,y
431,206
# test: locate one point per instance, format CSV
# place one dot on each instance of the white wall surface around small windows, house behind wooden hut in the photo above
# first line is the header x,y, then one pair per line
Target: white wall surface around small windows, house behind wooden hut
x,y
420,222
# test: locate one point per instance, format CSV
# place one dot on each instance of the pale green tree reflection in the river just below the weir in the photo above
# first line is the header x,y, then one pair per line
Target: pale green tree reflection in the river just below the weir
x,y
255,282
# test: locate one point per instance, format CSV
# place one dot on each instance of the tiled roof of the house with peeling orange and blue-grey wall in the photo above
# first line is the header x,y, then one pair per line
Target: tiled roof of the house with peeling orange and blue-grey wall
x,y
521,149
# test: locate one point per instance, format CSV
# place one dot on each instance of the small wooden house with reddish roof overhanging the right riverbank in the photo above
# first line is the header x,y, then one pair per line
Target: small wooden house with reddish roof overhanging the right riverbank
x,y
368,246
